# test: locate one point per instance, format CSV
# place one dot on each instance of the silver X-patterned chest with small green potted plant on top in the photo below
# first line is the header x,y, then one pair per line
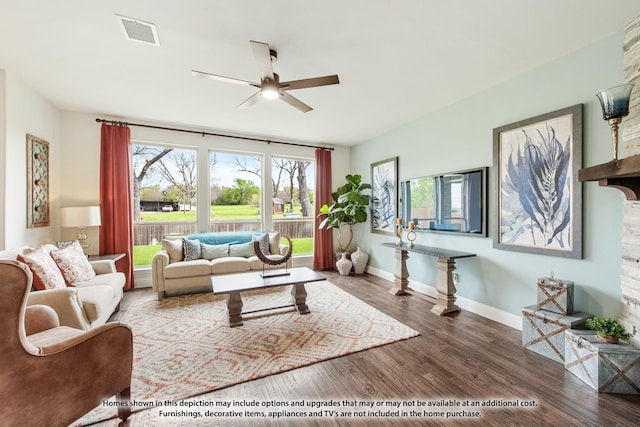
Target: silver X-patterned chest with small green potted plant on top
x,y
607,368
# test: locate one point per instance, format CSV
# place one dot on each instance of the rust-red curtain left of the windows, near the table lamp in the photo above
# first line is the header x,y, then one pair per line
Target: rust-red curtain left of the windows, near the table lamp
x,y
116,232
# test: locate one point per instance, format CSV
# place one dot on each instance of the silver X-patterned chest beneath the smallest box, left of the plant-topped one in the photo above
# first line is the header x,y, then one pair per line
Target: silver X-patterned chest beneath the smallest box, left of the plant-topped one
x,y
543,331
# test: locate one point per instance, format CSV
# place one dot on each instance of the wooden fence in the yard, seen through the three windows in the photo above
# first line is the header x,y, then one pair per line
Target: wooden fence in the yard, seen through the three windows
x,y
150,233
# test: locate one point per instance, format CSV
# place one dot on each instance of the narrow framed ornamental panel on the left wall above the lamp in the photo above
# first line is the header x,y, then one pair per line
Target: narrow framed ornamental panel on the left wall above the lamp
x,y
37,182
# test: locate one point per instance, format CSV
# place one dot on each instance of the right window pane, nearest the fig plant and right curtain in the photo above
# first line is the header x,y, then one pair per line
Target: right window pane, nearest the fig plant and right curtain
x,y
292,201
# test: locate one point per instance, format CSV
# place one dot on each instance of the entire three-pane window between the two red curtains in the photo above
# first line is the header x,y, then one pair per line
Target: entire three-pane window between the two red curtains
x,y
166,195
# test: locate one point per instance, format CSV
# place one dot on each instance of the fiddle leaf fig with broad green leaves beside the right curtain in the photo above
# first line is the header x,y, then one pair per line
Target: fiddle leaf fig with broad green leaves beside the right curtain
x,y
349,207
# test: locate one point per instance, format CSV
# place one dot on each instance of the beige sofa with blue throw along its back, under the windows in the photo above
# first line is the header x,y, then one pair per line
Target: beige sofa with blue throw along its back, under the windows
x,y
171,274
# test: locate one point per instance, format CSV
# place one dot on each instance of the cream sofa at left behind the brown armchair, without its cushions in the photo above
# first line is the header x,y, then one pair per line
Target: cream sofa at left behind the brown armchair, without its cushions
x,y
87,304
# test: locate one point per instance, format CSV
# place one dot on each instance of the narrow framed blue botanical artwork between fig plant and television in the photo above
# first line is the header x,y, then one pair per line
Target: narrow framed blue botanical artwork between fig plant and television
x,y
384,196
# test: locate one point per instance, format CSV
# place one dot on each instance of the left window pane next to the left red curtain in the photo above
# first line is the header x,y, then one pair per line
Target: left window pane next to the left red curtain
x,y
164,196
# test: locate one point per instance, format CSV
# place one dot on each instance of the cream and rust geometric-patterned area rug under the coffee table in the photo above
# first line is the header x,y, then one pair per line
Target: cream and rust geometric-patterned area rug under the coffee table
x,y
184,347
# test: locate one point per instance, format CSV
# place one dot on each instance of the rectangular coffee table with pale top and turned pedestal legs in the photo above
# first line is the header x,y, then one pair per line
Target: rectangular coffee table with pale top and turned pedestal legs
x,y
234,284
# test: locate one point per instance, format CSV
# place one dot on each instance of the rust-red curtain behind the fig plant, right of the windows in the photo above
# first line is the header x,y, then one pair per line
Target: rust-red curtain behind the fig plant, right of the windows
x,y
323,256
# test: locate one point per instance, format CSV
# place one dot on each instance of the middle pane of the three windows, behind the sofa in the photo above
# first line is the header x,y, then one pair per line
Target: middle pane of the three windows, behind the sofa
x,y
236,191
